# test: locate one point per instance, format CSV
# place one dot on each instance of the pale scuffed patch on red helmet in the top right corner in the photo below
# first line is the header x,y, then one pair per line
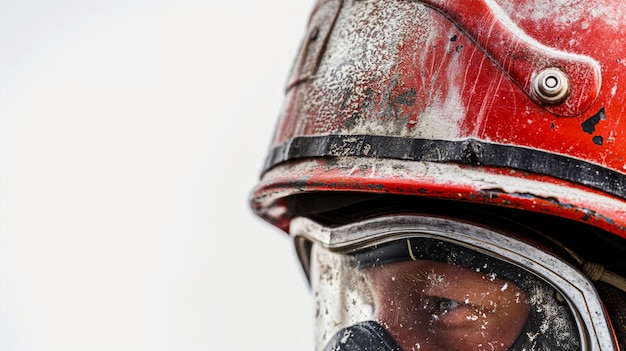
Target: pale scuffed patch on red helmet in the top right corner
x,y
565,12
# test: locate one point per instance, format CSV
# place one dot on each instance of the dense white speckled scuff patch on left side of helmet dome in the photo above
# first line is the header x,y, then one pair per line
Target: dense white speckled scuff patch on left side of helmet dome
x,y
363,52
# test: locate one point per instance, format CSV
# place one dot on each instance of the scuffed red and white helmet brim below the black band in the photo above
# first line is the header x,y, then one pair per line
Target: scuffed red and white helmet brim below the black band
x,y
470,184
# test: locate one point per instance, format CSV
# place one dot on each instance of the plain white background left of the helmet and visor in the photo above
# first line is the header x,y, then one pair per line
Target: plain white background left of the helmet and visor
x,y
131,134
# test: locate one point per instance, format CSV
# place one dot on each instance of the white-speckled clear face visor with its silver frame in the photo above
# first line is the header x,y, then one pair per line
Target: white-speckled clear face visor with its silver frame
x,y
424,283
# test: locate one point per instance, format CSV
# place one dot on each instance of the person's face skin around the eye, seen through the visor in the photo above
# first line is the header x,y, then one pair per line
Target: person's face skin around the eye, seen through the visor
x,y
436,306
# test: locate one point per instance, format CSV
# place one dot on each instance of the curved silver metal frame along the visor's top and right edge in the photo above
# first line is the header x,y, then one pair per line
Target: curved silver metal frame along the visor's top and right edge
x,y
577,290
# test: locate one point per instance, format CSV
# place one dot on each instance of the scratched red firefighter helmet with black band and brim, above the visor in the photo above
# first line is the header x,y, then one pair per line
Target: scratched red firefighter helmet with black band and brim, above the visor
x,y
509,104
